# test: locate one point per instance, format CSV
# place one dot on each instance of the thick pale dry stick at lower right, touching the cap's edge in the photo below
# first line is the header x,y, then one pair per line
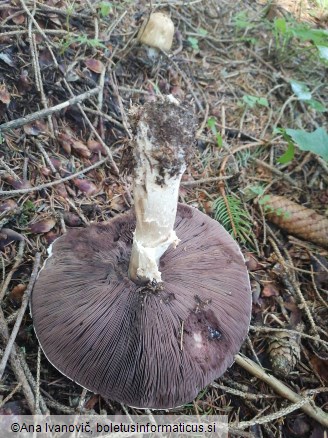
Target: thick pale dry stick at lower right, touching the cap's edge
x,y
310,409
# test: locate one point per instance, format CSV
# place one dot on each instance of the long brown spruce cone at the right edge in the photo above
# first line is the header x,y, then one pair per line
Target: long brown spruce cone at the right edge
x,y
296,219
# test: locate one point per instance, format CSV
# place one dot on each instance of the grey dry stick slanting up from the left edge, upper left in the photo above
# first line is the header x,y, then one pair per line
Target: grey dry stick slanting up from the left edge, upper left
x,y
46,112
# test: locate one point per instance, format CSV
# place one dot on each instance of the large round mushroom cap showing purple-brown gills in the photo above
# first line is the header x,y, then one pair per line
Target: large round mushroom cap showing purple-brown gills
x,y
146,347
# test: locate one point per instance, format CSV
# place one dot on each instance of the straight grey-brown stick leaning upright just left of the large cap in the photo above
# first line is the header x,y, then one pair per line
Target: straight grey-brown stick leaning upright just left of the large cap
x,y
20,316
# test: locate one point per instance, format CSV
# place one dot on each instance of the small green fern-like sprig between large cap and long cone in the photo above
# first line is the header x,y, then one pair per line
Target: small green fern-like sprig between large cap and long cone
x,y
240,217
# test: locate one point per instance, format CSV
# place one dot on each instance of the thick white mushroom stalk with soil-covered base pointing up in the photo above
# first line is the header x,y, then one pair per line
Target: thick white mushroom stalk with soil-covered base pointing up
x,y
163,135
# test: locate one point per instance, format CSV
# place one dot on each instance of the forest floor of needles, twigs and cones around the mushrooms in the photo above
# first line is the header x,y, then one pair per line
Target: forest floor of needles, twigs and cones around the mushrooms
x,y
257,74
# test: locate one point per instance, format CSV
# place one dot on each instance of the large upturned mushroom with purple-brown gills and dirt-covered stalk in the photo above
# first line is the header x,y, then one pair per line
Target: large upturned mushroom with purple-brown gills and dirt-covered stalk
x,y
150,307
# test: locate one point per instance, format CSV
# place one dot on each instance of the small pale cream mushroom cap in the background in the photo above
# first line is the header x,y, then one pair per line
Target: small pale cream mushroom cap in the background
x,y
157,31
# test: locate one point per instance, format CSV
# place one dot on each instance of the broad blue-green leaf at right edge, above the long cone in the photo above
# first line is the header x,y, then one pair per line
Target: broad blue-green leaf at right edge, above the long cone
x,y
316,141
